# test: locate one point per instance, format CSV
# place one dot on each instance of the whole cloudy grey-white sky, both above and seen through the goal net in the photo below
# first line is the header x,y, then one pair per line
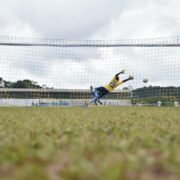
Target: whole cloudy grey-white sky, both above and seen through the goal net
x,y
89,20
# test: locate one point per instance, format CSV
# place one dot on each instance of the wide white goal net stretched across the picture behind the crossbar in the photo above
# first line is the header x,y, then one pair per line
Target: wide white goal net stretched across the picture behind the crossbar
x,y
50,72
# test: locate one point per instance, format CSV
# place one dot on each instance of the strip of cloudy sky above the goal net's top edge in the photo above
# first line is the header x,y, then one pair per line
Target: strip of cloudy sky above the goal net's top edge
x,y
90,19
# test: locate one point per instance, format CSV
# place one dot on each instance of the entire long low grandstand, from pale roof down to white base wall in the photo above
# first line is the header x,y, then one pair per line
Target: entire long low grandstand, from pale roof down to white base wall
x,y
58,97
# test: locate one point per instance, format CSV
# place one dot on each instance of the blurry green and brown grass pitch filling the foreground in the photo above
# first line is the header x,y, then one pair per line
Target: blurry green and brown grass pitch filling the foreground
x,y
90,143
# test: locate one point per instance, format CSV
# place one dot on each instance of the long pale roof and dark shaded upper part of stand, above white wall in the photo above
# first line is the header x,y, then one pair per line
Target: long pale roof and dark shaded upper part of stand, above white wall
x,y
19,93
